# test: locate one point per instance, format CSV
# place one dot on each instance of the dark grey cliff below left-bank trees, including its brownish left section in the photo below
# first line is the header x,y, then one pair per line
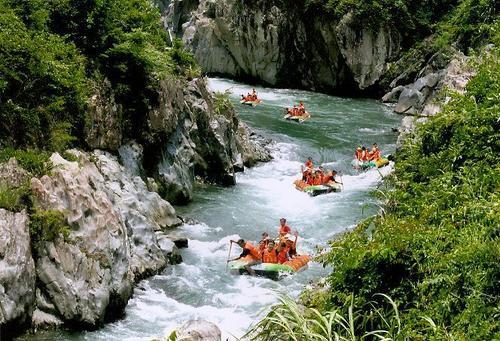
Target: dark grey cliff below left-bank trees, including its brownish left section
x,y
185,135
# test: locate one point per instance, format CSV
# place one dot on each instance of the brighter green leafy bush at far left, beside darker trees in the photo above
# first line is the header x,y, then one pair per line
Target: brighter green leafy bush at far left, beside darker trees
x,y
42,81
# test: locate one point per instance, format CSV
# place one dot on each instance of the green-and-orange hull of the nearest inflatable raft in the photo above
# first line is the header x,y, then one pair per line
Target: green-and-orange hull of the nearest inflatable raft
x,y
270,270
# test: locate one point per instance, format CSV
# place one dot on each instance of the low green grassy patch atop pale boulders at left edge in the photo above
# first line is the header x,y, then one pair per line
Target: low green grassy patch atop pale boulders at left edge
x,y
32,160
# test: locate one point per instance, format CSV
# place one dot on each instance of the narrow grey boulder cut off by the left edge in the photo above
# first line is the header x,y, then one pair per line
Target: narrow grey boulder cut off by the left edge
x,y
17,272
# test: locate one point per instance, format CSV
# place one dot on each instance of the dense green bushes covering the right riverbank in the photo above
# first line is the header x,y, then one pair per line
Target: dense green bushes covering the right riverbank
x,y
435,249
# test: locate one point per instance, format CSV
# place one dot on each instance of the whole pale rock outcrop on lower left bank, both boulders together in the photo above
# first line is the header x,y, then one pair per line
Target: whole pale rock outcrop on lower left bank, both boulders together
x,y
85,277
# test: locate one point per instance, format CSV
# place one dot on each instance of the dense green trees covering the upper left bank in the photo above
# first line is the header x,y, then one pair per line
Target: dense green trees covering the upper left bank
x,y
54,54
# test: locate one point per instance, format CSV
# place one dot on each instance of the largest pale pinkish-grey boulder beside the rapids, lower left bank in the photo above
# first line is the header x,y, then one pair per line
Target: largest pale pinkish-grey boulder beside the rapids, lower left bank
x,y
87,278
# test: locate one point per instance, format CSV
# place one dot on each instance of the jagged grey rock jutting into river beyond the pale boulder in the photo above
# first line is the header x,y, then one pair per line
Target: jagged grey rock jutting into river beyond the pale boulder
x,y
198,141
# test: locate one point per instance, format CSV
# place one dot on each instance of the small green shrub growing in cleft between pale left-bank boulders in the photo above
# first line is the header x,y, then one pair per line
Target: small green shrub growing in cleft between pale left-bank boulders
x,y
47,226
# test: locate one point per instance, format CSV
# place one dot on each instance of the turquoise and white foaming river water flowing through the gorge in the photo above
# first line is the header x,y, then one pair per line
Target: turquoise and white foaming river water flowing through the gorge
x,y
200,287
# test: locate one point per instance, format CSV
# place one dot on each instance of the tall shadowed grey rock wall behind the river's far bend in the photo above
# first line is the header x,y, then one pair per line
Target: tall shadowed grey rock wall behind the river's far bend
x,y
272,41
